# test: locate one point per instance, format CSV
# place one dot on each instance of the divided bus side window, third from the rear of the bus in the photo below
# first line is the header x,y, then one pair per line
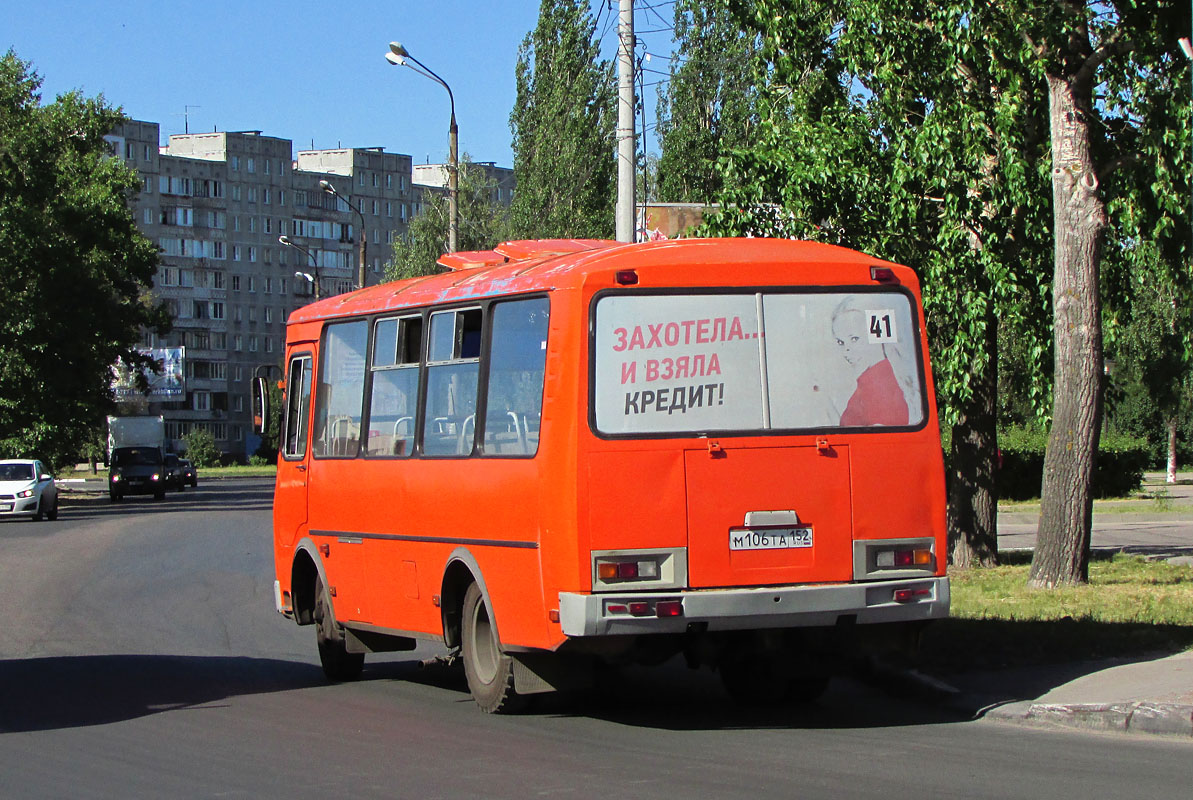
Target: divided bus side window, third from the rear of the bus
x,y
398,345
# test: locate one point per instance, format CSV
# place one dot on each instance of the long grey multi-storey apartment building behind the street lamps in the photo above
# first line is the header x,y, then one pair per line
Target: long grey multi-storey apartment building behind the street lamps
x,y
217,206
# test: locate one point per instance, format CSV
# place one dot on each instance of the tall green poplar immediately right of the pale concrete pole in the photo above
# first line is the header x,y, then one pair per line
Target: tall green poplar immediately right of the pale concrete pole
x,y
707,108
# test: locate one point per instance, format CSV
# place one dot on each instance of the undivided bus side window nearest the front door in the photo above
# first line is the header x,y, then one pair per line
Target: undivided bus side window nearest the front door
x,y
342,389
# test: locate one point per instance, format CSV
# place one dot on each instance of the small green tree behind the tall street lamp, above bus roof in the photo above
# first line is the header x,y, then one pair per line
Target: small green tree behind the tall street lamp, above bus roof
x,y
483,225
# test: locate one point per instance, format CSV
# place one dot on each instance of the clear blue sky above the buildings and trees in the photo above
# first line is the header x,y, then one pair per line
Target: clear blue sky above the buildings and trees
x,y
310,72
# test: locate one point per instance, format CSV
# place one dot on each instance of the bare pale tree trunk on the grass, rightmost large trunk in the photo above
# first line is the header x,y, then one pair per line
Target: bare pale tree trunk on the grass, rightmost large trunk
x,y
1062,548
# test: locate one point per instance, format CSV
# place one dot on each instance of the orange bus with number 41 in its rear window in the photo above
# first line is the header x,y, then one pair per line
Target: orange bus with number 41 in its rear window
x,y
570,452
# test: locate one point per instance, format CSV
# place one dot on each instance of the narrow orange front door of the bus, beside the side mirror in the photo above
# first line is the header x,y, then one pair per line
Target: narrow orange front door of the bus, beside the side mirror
x,y
290,498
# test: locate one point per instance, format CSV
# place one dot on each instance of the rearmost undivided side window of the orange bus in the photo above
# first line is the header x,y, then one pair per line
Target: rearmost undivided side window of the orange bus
x,y
517,364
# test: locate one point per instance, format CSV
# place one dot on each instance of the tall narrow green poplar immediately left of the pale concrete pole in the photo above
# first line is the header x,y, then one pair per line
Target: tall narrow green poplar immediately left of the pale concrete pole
x,y
562,126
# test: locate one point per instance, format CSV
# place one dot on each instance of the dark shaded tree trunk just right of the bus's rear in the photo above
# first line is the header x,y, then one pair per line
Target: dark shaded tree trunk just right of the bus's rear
x,y
973,470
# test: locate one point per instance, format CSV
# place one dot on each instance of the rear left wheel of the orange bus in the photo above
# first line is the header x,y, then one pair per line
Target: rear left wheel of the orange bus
x,y
490,673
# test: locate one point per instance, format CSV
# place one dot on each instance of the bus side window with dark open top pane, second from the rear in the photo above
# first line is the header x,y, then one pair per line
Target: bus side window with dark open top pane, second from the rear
x,y
453,370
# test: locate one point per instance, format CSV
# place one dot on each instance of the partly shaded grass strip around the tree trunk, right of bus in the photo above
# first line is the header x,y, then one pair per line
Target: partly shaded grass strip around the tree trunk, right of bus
x,y
1130,607
